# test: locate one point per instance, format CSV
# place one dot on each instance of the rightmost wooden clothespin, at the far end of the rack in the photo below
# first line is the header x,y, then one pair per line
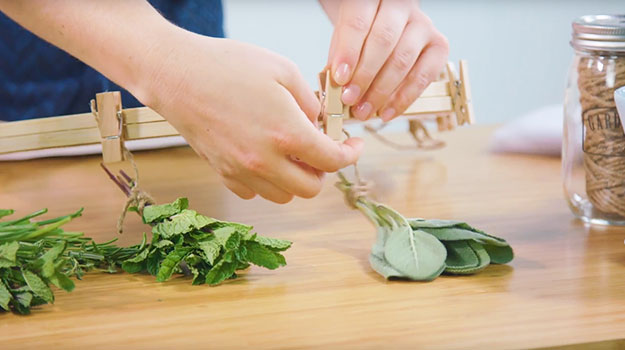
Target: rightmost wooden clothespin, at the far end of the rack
x,y
460,90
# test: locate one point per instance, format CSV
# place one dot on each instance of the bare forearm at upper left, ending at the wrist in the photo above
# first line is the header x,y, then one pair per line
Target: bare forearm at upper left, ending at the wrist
x,y
115,37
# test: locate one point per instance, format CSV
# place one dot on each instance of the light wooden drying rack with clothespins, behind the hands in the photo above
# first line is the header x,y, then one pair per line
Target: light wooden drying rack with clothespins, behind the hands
x,y
110,124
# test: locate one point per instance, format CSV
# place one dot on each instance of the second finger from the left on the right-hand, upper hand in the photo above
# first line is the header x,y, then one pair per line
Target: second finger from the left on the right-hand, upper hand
x,y
387,28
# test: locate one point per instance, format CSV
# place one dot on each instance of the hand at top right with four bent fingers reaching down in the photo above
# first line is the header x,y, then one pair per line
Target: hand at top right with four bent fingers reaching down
x,y
385,53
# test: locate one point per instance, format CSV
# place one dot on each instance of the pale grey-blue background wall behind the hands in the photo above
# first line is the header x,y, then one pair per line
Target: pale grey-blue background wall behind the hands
x,y
518,51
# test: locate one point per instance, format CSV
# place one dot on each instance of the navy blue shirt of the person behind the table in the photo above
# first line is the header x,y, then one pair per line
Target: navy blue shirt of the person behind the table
x,y
39,80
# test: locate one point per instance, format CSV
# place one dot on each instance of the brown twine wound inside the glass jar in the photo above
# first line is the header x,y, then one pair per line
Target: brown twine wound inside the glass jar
x,y
604,147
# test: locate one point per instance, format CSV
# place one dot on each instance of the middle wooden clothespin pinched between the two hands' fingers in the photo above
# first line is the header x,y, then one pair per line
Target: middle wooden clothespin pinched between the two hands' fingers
x,y
332,109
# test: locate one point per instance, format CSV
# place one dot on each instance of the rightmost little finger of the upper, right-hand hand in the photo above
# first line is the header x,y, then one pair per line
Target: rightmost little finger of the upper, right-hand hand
x,y
428,67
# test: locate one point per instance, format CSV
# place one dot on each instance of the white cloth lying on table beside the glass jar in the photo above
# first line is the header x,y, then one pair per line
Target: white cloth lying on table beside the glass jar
x,y
537,132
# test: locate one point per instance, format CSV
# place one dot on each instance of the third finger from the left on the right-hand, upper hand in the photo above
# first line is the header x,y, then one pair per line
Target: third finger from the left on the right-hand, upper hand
x,y
396,68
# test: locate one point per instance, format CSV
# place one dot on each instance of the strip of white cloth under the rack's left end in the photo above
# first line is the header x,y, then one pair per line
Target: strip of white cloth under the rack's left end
x,y
132,145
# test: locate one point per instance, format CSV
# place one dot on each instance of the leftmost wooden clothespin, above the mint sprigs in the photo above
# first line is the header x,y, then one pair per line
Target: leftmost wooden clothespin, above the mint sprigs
x,y
107,108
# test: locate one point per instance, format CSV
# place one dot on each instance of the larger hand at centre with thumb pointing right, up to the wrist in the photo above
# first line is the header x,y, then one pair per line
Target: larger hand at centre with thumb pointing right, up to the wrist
x,y
247,111
